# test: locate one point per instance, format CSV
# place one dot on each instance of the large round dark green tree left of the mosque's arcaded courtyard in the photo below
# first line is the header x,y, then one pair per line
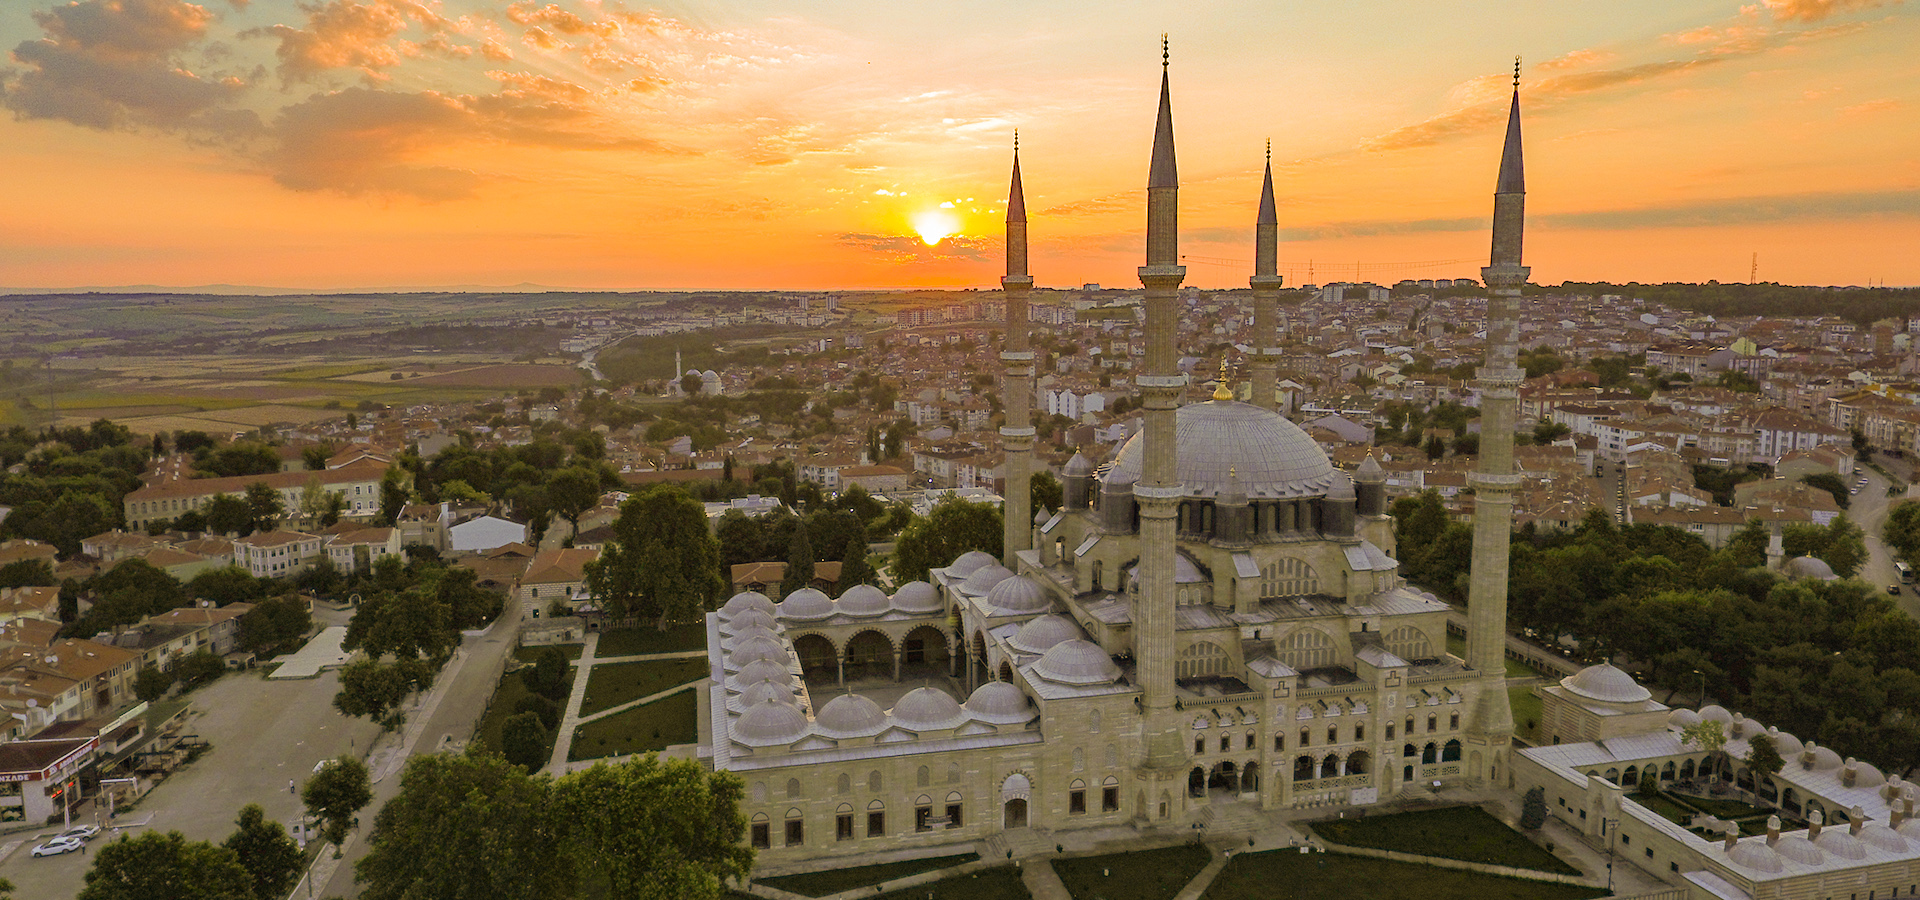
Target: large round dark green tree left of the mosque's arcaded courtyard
x,y
661,563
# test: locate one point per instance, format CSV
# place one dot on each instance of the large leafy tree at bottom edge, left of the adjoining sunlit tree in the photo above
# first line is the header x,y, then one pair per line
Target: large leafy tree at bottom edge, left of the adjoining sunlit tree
x,y
468,828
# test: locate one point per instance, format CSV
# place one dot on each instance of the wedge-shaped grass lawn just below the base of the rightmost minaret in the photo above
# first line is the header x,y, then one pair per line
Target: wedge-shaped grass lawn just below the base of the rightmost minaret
x,y
1454,834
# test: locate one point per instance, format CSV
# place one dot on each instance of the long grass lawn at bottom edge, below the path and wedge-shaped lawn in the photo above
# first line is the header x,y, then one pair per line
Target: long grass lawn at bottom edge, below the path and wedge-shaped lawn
x,y
1295,876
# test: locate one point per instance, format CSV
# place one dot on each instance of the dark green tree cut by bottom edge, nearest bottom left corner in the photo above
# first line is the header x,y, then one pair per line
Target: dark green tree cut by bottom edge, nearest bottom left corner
x,y
166,866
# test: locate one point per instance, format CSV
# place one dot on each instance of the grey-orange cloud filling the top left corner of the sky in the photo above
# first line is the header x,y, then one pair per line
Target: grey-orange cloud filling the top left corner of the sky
x,y
116,64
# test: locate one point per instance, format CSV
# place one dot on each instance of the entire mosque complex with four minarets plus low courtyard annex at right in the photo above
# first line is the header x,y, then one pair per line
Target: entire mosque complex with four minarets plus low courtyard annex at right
x,y
1212,632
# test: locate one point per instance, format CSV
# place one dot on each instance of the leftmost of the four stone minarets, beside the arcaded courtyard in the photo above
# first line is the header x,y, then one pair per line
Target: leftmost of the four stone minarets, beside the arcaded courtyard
x,y
1017,360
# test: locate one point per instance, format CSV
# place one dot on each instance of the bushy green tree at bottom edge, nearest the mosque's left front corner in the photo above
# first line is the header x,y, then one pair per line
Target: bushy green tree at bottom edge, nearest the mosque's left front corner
x,y
619,813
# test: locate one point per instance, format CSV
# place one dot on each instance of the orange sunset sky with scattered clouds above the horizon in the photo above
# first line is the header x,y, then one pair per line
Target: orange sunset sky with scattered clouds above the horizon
x,y
809,145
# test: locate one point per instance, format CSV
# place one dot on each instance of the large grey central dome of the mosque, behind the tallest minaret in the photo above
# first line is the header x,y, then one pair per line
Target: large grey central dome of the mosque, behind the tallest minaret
x,y
1268,456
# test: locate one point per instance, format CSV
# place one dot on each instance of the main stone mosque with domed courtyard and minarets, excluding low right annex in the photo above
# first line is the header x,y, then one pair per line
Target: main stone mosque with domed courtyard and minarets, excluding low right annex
x,y
1214,625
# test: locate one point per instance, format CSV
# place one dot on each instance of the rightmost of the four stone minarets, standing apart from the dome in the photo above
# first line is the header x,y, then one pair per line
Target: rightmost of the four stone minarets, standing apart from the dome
x,y
1491,730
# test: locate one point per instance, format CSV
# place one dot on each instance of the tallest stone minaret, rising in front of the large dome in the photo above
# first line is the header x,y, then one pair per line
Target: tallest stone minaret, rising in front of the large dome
x,y
1159,490
